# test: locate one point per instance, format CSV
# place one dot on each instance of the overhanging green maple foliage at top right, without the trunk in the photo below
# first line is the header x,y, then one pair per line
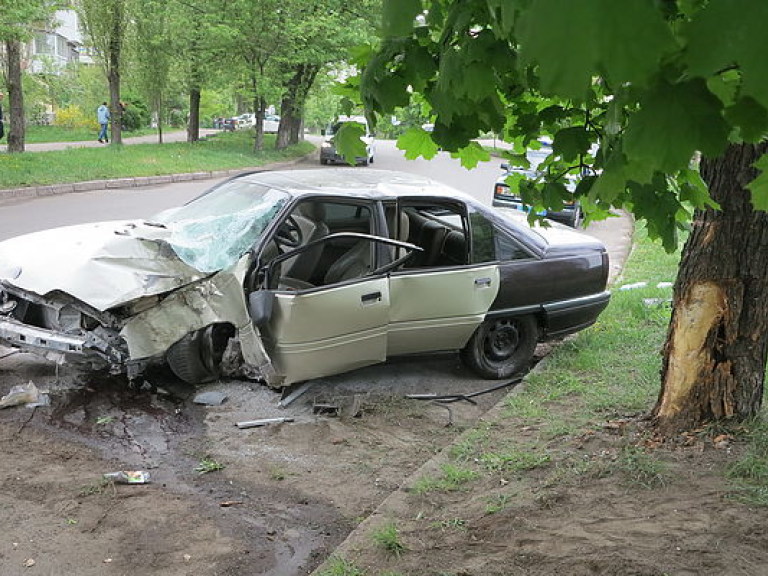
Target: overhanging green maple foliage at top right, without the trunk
x,y
628,91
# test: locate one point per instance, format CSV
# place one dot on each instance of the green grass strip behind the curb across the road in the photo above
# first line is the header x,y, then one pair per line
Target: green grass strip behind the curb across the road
x,y
226,151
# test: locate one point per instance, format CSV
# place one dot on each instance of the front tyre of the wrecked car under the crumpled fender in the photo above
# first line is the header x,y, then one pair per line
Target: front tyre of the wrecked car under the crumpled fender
x,y
196,358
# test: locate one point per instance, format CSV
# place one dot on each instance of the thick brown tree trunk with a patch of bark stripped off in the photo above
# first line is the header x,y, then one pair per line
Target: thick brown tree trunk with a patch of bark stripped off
x,y
715,353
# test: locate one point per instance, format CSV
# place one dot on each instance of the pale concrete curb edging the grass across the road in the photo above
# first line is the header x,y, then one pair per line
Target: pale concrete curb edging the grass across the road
x,y
21,194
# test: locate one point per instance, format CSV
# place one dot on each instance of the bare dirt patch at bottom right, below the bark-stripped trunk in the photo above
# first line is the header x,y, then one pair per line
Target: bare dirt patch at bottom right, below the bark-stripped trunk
x,y
580,514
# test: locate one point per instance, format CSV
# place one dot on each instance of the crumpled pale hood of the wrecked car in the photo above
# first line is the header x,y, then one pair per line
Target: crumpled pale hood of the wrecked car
x,y
103,264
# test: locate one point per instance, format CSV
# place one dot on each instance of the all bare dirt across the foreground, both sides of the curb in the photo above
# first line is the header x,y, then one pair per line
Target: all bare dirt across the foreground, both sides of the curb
x,y
288,495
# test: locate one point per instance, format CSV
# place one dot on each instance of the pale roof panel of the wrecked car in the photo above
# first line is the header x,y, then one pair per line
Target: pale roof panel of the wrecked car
x,y
365,183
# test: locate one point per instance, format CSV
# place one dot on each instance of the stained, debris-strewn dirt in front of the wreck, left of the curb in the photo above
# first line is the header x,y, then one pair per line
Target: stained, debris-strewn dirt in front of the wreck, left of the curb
x,y
286,494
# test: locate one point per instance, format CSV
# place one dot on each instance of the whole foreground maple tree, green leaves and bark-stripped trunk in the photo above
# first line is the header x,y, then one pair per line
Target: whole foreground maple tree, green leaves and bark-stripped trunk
x,y
650,85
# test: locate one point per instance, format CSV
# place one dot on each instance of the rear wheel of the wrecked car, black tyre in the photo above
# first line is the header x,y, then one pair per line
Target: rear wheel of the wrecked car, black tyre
x,y
502,347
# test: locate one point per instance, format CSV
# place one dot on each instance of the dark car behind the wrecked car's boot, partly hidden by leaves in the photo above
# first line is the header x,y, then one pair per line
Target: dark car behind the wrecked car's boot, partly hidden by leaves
x,y
503,196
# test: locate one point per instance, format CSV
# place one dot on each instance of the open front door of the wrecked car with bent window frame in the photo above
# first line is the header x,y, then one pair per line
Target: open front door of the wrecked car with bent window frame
x,y
315,331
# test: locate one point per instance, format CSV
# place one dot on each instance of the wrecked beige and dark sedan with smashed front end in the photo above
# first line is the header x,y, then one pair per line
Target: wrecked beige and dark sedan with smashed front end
x,y
294,275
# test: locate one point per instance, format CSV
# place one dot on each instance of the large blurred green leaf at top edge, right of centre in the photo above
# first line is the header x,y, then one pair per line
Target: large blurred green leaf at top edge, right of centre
x,y
572,42
